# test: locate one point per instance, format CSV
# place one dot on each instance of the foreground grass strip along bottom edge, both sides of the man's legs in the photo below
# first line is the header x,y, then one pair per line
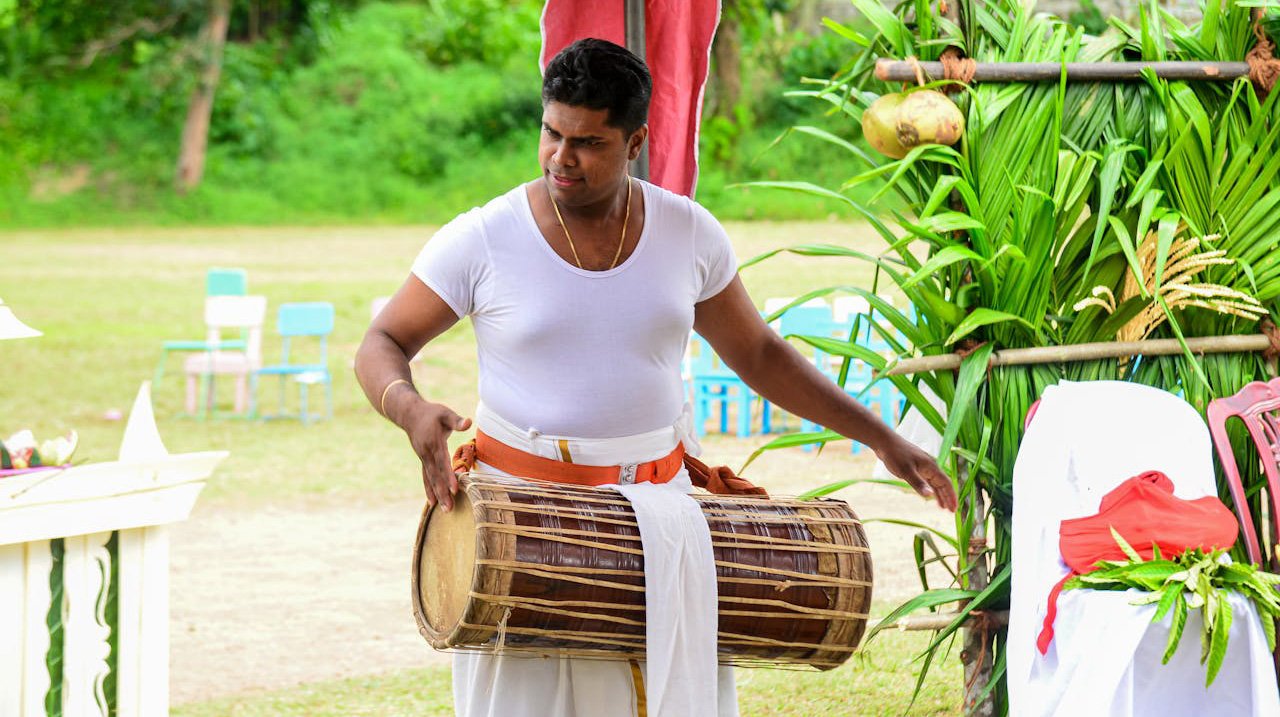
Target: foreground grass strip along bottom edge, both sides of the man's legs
x,y
876,683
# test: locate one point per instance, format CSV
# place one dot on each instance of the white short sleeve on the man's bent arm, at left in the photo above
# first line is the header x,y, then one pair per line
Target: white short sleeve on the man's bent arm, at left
x,y
452,263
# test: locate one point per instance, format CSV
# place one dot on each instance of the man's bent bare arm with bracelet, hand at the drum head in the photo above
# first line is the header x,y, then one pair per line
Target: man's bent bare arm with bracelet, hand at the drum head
x,y
413,318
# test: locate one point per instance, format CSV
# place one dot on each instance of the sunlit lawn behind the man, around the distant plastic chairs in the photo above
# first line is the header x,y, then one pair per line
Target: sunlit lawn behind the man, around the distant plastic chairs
x,y
107,300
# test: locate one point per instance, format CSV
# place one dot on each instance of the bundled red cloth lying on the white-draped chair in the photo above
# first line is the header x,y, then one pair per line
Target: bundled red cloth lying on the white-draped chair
x,y
1145,512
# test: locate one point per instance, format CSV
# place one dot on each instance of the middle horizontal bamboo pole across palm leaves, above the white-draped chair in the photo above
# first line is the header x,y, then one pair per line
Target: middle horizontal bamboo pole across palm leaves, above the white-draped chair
x,y
1089,353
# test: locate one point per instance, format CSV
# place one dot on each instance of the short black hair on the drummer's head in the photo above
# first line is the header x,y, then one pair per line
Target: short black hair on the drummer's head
x,y
601,76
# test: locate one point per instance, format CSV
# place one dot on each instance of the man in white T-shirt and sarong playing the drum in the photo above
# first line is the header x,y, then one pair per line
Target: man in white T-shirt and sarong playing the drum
x,y
583,286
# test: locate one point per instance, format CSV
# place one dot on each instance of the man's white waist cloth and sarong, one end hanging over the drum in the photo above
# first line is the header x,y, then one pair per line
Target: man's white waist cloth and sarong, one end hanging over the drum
x,y
682,677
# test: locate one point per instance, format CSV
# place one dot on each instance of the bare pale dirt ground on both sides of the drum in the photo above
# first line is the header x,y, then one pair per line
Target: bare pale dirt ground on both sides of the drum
x,y
275,597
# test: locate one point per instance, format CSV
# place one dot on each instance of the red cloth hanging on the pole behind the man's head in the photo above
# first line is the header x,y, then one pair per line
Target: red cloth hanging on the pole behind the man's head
x,y
678,47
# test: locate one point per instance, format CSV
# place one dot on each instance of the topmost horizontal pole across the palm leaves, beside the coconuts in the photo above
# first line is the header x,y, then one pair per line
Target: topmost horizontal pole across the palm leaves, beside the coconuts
x,y
904,71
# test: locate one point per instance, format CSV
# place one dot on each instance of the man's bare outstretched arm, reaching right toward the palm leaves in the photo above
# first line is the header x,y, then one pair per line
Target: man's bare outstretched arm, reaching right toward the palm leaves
x,y
778,372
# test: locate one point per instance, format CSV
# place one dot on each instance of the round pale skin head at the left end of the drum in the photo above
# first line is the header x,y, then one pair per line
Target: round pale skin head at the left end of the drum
x,y
447,565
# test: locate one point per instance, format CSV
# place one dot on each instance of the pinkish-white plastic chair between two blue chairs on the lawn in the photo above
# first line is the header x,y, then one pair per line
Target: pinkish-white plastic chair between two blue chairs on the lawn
x,y
227,314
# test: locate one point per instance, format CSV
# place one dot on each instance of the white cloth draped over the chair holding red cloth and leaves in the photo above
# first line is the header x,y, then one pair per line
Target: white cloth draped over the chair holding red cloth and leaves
x,y
1105,657
